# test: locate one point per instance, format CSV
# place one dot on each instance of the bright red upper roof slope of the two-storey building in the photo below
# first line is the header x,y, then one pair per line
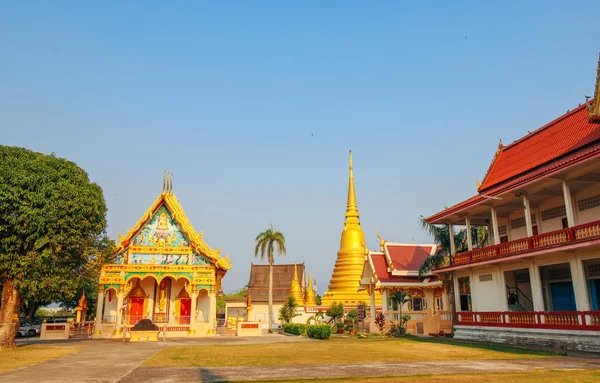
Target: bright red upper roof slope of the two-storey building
x,y
564,135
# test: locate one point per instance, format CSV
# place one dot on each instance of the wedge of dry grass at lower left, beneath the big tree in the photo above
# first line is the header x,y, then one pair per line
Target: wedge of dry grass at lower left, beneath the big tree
x,y
26,355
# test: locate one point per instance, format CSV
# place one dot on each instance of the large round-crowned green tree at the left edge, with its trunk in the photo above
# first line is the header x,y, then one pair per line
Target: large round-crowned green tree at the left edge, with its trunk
x,y
52,215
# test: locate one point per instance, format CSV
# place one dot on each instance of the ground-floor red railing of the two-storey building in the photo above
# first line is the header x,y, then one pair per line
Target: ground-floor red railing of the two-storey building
x,y
557,320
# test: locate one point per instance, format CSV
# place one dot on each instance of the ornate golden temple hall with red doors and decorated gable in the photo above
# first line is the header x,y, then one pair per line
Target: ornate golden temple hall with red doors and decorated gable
x,y
162,271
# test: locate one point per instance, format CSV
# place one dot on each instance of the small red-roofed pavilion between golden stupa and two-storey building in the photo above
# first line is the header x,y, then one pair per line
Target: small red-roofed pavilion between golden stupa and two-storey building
x,y
395,267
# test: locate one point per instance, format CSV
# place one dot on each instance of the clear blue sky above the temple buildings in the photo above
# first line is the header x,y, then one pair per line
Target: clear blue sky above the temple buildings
x,y
228,96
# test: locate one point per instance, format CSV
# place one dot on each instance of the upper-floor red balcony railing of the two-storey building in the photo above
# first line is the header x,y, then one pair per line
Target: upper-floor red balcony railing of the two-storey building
x,y
585,232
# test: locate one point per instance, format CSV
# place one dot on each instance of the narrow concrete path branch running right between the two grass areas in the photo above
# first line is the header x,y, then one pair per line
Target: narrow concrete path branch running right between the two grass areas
x,y
228,374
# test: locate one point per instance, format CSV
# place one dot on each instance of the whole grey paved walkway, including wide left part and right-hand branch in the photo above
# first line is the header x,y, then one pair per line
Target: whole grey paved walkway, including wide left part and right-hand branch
x,y
114,361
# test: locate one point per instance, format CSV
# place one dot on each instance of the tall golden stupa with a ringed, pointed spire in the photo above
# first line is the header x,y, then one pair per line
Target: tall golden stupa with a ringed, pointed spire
x,y
345,280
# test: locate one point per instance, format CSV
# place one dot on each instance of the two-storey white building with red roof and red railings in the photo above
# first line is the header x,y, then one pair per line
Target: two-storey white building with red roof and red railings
x,y
537,281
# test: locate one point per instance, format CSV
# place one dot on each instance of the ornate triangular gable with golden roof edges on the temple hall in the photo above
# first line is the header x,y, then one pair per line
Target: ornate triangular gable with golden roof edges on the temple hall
x,y
165,236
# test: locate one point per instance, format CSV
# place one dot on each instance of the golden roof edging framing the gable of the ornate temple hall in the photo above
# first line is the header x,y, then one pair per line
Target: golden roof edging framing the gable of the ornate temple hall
x,y
168,199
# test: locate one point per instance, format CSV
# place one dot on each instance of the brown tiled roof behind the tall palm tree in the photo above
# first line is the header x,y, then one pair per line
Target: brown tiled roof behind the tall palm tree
x,y
283,275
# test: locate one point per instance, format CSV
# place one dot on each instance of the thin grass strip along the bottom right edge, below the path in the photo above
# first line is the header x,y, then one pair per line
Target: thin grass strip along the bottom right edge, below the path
x,y
579,376
